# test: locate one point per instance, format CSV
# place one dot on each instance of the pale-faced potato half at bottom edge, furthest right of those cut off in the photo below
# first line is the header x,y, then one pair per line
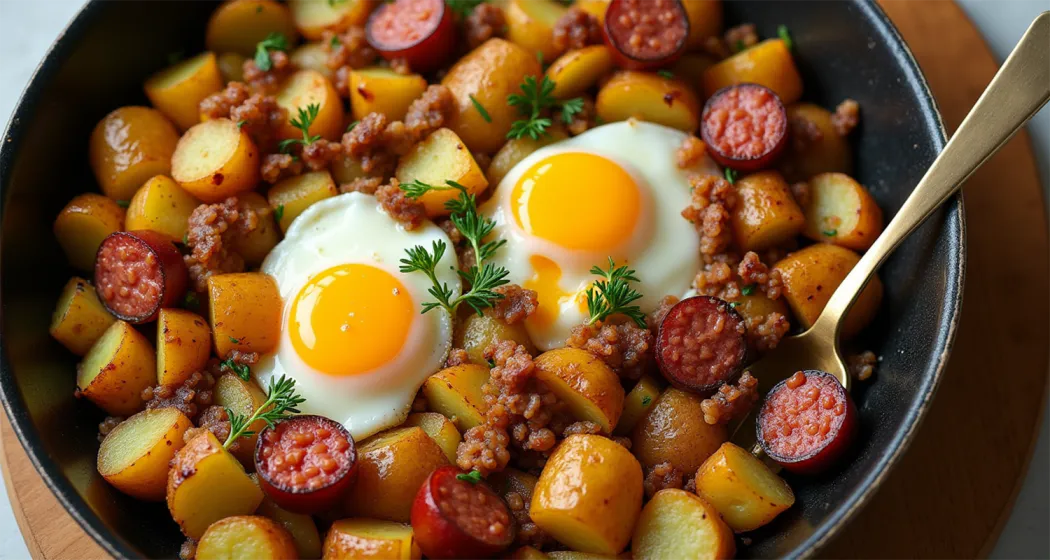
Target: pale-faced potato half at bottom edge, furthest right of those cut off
x,y
677,524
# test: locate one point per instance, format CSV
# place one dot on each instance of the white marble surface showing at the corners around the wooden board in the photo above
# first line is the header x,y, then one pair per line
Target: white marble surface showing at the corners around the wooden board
x,y
30,28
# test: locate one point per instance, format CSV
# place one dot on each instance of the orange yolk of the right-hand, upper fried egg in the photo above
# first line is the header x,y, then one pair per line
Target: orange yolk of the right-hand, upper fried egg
x,y
579,201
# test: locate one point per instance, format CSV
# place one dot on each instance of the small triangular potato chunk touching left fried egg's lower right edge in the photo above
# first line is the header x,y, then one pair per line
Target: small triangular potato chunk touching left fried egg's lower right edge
x,y
456,393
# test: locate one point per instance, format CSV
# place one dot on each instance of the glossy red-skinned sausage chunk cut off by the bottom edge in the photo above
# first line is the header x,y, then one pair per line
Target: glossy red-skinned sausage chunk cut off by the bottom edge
x,y
456,516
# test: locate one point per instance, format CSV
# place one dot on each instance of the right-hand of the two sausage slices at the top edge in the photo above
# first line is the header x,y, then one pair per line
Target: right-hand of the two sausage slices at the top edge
x,y
646,34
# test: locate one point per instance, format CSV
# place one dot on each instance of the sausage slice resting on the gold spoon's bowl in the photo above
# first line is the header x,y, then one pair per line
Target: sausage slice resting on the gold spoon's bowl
x,y
807,423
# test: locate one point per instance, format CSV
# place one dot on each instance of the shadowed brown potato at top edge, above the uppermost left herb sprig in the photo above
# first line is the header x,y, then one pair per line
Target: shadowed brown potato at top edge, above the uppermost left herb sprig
x,y
239,26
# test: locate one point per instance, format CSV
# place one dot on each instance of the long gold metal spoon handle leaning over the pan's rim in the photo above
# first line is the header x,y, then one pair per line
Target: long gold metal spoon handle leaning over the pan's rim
x,y
1017,93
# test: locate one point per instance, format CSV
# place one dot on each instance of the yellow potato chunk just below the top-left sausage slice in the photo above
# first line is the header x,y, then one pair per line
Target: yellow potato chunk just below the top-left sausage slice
x,y
384,91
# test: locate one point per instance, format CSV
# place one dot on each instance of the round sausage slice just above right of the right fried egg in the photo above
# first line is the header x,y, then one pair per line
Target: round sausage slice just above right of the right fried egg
x,y
745,127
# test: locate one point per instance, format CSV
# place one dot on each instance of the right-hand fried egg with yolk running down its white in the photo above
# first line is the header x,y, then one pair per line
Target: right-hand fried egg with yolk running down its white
x,y
615,192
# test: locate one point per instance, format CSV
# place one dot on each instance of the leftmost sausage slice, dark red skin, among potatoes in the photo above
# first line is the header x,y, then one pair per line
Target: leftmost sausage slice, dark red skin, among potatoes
x,y
137,274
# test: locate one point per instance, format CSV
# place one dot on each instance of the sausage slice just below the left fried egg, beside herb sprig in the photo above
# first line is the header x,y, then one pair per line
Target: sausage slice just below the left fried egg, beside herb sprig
x,y
306,464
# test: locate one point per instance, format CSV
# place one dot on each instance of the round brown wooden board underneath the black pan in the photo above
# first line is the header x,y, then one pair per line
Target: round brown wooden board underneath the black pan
x,y
951,495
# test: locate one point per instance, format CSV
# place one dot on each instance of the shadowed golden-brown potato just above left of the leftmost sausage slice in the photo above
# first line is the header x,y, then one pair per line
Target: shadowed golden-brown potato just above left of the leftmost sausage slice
x,y
82,225
